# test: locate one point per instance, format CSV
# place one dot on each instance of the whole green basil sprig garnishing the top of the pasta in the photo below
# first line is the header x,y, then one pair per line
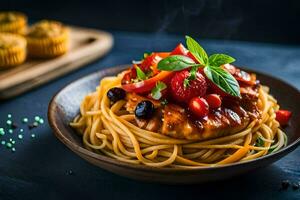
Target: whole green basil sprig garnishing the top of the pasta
x,y
220,77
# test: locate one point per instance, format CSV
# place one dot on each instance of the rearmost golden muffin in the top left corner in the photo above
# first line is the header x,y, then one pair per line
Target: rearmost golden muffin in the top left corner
x,y
13,22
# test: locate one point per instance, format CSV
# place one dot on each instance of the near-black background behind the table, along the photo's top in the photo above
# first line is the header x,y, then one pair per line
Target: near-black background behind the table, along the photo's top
x,y
255,20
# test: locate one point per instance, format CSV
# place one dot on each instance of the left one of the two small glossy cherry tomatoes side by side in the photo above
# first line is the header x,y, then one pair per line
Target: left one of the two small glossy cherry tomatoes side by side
x,y
199,107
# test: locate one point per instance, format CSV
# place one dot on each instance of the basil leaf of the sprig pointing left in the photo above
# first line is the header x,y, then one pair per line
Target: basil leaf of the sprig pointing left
x,y
175,63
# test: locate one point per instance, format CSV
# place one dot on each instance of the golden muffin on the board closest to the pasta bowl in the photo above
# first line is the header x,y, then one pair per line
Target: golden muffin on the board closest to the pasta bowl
x,y
47,39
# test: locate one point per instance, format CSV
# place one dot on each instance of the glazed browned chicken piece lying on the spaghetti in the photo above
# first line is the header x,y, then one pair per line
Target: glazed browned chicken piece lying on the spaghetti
x,y
176,122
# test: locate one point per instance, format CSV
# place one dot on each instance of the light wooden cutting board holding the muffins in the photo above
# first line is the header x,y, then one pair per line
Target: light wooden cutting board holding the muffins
x,y
86,45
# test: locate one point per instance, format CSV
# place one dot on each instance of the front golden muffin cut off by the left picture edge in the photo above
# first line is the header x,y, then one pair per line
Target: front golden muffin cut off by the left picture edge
x,y
12,50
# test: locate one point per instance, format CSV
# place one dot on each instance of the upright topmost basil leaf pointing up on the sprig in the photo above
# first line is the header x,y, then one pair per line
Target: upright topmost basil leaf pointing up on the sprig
x,y
197,51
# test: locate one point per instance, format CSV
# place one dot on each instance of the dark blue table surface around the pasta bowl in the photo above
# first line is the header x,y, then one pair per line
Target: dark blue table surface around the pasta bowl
x,y
40,167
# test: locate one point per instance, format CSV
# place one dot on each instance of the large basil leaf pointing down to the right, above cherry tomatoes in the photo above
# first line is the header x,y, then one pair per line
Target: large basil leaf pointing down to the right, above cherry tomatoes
x,y
223,79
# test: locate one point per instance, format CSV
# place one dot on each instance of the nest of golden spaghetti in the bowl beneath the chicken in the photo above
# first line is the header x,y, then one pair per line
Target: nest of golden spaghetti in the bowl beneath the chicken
x,y
111,130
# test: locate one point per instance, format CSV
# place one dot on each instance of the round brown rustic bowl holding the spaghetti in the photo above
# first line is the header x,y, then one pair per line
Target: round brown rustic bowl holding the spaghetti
x,y
64,106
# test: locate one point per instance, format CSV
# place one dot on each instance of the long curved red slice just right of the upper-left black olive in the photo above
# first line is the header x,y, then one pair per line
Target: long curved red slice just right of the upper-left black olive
x,y
146,85
